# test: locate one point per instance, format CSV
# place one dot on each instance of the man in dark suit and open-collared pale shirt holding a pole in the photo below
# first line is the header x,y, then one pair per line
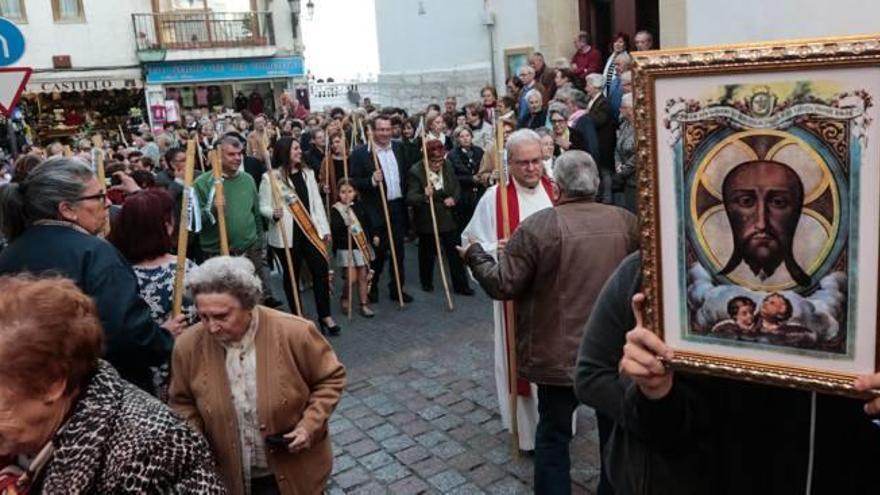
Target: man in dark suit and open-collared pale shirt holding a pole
x,y
366,179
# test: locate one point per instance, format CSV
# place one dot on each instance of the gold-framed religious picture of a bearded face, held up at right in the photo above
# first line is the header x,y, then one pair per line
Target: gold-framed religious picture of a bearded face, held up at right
x,y
760,204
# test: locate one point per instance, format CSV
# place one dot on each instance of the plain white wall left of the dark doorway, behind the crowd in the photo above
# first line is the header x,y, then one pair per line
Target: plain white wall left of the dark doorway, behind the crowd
x,y
447,50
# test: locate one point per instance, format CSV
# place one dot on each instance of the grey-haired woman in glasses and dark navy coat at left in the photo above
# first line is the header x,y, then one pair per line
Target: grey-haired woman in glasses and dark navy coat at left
x,y
52,219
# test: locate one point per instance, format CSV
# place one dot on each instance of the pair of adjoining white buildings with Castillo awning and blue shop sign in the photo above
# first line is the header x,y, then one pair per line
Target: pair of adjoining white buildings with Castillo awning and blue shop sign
x,y
106,65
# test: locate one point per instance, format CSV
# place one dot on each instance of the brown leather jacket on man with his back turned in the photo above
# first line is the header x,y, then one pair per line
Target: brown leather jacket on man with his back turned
x,y
554,266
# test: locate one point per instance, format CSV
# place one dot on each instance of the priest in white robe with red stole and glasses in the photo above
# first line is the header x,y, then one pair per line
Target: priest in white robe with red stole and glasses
x,y
528,192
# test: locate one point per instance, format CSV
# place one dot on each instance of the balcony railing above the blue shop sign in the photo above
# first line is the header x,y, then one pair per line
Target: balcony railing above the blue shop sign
x,y
193,30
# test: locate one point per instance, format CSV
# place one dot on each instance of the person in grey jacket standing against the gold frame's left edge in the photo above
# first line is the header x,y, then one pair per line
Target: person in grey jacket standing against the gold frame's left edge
x,y
623,182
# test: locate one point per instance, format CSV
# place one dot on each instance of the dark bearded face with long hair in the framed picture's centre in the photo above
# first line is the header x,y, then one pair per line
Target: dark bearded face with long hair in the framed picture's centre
x,y
763,200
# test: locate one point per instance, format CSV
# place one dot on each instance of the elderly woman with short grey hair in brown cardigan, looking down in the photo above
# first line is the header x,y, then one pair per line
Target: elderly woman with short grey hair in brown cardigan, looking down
x,y
260,384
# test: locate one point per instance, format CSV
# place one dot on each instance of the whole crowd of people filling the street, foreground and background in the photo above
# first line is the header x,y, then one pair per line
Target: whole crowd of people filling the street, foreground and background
x,y
244,389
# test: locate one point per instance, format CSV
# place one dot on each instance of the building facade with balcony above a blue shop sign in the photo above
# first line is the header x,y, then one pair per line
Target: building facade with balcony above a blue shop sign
x,y
218,54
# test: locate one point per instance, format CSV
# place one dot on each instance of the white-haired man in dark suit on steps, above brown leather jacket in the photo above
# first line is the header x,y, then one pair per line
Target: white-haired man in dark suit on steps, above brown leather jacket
x,y
599,109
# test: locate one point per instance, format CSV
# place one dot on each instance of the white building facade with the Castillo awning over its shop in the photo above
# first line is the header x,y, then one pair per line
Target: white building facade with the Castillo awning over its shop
x,y
85,71
